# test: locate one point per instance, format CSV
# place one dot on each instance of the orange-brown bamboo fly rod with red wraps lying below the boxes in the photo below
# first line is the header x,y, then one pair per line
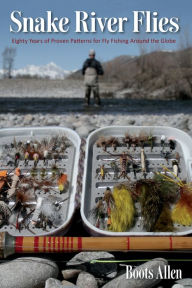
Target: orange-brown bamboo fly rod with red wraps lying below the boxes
x,y
45,244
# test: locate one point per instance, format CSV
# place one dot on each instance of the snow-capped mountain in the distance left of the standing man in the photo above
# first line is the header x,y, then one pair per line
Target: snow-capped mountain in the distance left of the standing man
x,y
51,71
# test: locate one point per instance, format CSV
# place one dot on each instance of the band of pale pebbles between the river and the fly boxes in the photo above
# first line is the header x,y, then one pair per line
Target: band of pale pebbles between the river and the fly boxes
x,y
83,124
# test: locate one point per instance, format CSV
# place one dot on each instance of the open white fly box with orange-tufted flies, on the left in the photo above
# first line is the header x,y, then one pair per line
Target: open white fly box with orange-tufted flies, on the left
x,y
38,176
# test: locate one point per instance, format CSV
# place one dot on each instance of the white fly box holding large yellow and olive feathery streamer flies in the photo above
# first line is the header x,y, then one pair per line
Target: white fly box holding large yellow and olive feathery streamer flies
x,y
137,182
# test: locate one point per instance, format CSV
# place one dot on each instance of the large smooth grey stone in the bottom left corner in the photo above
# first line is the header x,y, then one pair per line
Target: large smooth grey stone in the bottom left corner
x,y
27,272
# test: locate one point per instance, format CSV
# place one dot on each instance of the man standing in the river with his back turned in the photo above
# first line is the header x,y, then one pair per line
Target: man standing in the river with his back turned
x,y
91,69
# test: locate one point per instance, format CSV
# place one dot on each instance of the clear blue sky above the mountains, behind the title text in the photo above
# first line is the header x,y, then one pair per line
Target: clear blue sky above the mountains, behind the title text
x,y
70,56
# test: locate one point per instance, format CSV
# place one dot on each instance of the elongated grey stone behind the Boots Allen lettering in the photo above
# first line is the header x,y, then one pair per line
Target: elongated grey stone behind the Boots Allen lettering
x,y
123,282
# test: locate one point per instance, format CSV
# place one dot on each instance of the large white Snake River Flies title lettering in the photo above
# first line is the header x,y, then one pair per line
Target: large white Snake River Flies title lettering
x,y
146,21
